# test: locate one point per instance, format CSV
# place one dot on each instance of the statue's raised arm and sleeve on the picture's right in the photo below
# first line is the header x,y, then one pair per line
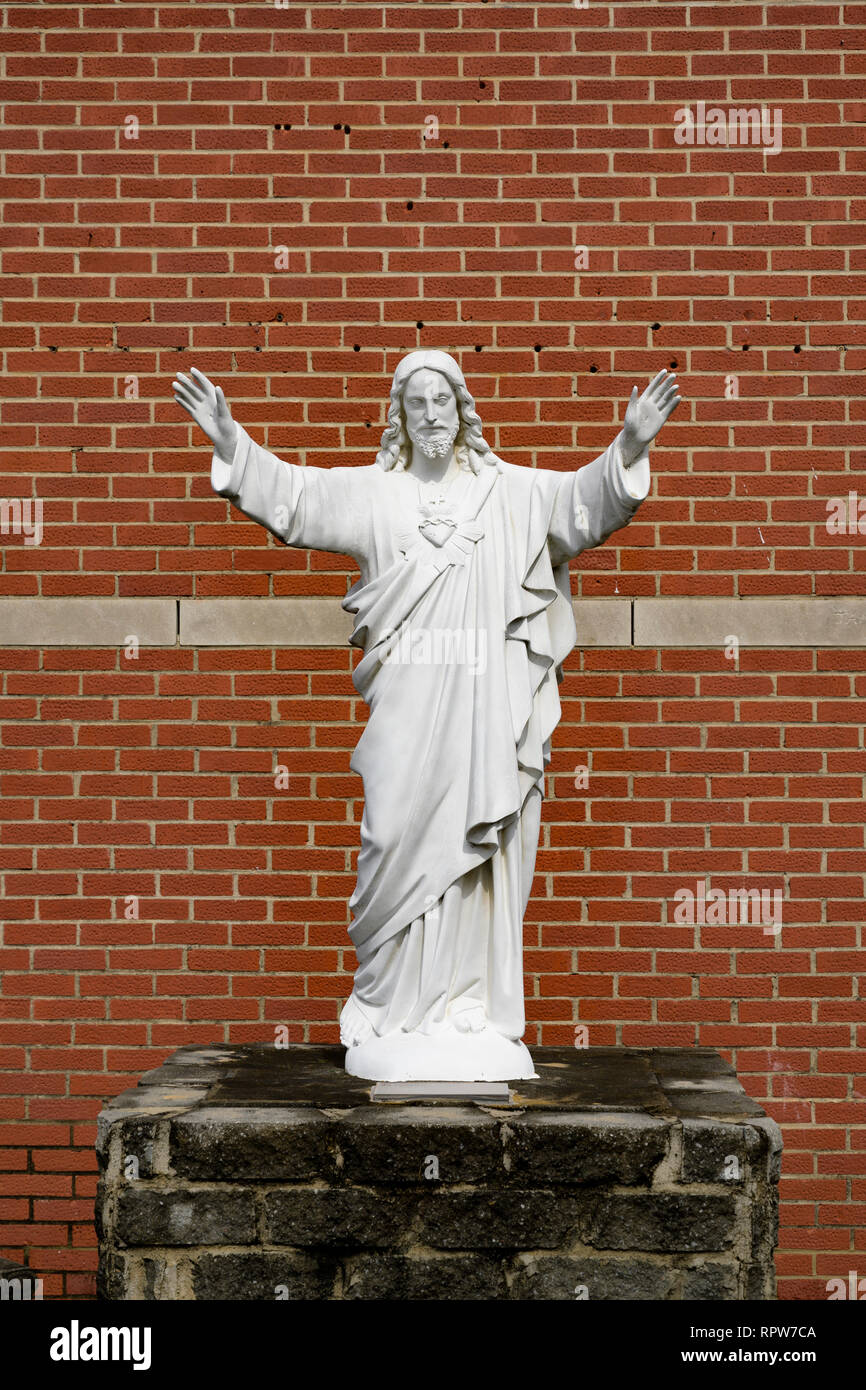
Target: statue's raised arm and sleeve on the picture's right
x,y
604,496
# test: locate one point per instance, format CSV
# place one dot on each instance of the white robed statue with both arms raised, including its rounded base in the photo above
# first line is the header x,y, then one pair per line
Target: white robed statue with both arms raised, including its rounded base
x,y
464,612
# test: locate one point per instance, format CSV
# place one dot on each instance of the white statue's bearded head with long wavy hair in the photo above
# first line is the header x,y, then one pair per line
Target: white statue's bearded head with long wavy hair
x,y
432,408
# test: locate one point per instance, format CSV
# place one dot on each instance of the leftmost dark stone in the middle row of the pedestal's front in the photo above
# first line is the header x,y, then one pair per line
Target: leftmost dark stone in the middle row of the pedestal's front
x,y
193,1217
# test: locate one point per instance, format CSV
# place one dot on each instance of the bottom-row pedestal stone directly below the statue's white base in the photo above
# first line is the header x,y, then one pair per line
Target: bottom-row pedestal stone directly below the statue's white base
x,y
425,1277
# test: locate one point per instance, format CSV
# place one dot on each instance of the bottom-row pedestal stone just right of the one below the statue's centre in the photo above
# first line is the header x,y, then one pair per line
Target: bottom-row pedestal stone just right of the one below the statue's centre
x,y
591,1278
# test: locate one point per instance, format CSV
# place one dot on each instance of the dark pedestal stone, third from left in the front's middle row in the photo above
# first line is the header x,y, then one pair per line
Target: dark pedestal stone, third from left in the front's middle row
x,y
503,1221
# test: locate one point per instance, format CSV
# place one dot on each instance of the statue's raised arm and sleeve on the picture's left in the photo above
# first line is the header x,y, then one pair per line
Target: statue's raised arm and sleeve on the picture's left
x,y
323,509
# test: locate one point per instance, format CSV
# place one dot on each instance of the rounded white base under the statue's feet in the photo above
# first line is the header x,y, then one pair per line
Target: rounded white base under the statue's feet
x,y
441,1057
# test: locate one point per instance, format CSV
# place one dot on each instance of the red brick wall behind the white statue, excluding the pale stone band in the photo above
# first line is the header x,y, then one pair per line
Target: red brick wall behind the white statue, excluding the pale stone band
x,y
136,258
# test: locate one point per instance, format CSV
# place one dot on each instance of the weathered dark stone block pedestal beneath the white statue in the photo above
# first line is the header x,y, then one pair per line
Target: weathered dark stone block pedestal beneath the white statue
x,y
266,1174
